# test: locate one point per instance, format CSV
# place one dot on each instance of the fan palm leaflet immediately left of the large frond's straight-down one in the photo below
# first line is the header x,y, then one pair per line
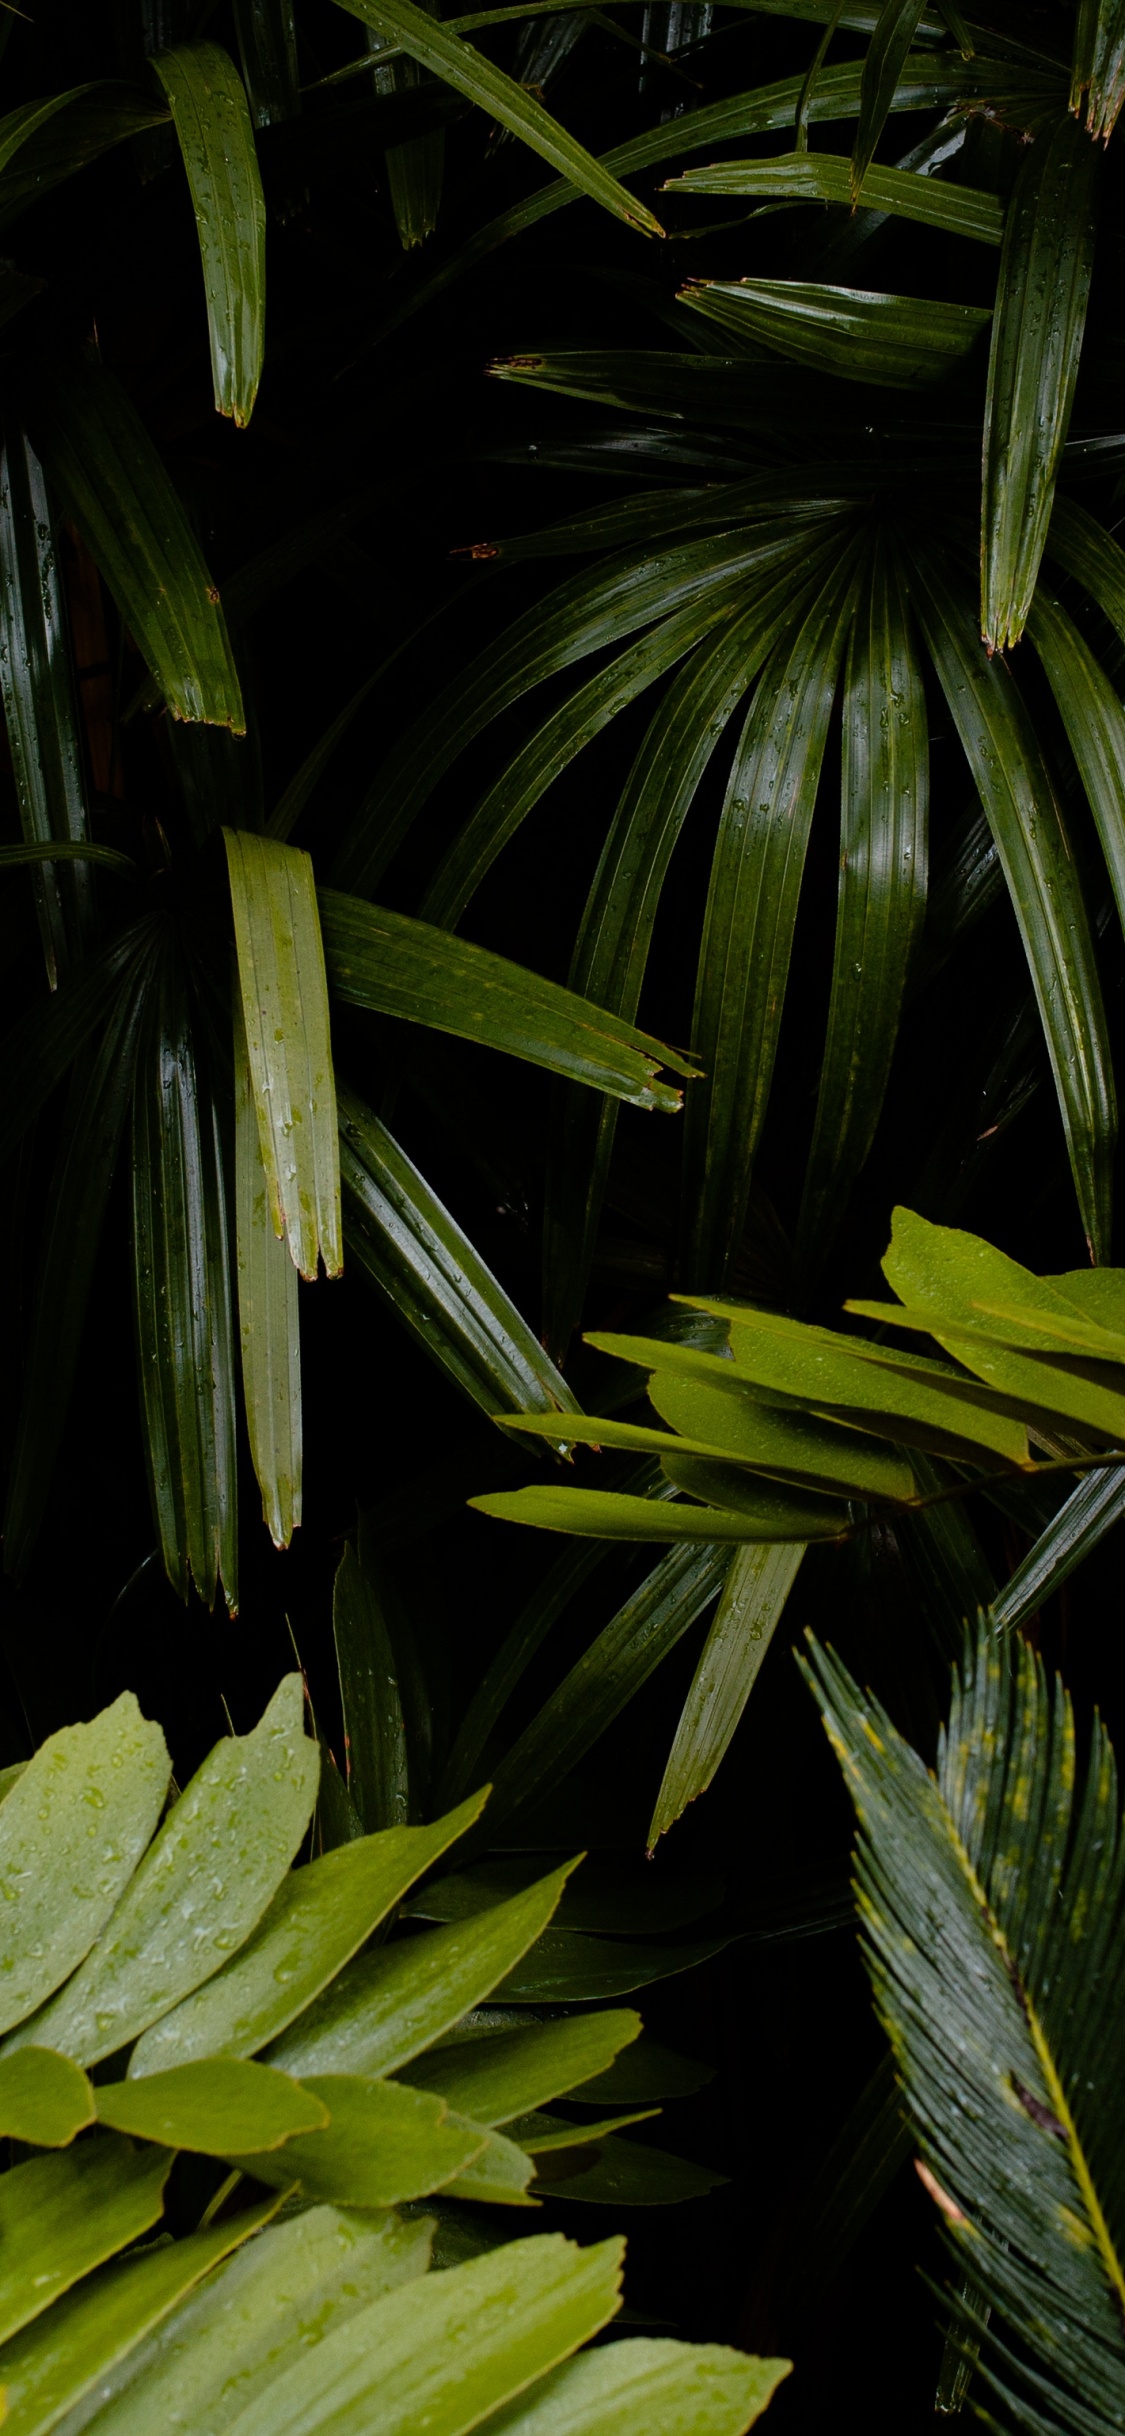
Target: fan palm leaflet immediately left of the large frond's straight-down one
x,y
751,915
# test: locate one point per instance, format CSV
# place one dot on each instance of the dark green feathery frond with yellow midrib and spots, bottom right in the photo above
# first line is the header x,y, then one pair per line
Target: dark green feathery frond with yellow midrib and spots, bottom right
x,y
992,1916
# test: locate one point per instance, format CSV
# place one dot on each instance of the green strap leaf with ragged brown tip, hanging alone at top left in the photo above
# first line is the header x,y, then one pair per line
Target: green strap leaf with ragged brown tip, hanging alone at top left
x,y
216,135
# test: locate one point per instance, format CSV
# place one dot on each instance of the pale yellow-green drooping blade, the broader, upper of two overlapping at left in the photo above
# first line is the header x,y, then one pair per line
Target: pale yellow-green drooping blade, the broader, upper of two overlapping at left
x,y
286,1012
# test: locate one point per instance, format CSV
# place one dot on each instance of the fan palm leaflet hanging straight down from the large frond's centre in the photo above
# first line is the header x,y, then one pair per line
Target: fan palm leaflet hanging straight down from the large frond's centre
x,y
885,803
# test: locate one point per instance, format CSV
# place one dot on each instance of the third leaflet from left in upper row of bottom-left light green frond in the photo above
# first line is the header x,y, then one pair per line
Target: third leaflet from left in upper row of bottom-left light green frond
x,y
315,1923
